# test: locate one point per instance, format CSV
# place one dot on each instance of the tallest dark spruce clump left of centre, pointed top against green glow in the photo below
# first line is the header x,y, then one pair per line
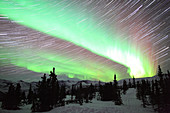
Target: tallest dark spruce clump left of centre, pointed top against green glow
x,y
49,94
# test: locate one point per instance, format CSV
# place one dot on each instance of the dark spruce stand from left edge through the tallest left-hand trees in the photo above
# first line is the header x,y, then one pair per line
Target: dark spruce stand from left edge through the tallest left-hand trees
x,y
46,96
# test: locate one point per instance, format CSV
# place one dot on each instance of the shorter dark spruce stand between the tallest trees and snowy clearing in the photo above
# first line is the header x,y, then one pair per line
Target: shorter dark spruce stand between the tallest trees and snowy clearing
x,y
107,92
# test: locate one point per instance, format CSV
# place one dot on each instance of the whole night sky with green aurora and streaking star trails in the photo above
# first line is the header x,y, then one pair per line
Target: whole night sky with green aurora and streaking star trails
x,y
85,39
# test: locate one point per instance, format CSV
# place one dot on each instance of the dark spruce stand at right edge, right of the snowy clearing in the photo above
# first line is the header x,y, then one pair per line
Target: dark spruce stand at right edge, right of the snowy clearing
x,y
155,93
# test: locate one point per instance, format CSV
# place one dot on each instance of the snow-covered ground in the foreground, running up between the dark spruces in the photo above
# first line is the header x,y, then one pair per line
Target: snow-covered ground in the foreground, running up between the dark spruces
x,y
131,105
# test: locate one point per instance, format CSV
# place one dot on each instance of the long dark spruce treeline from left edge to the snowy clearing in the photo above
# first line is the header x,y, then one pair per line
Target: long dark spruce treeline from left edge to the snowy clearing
x,y
49,94
